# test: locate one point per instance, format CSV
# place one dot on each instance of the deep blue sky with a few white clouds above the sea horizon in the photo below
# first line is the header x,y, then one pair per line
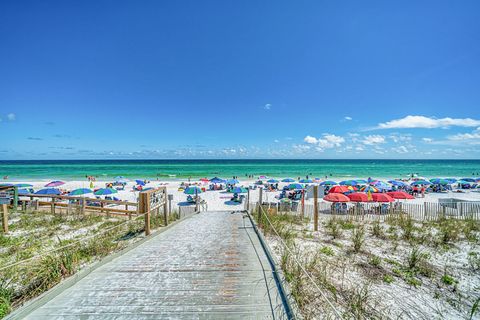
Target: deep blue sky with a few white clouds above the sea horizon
x,y
239,79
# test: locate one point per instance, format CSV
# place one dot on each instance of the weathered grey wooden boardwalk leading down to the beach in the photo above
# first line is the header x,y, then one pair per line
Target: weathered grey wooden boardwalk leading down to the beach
x,y
209,266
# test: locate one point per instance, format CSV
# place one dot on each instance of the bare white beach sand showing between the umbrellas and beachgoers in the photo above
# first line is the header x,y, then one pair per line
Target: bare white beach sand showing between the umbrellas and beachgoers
x,y
219,200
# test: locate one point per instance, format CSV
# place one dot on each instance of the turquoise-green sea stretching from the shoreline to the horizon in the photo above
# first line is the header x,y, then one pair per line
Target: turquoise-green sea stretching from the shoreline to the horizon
x,y
172,169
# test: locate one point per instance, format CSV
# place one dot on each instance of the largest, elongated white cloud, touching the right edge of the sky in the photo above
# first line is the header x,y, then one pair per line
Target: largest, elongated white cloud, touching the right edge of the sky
x,y
427,122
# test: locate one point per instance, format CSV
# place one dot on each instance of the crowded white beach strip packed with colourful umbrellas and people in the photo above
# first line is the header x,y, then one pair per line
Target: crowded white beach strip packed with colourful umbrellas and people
x,y
229,194
